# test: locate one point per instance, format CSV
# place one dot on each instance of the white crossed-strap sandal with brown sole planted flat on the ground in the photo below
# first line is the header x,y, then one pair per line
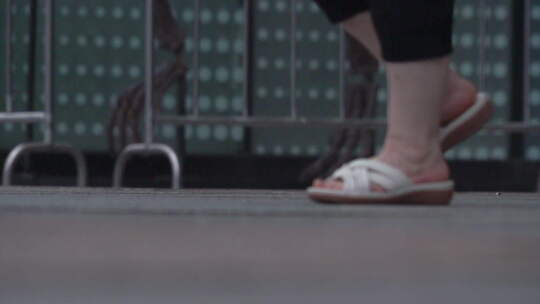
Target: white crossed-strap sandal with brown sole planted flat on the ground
x,y
358,175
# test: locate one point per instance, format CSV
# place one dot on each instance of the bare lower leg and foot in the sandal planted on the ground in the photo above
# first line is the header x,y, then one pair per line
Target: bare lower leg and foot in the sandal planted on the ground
x,y
412,140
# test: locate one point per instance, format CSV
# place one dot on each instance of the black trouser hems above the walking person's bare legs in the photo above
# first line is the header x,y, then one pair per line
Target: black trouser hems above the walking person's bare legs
x,y
409,30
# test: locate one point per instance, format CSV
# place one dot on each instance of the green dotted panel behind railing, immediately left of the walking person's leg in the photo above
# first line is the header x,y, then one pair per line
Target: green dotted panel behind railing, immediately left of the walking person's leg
x,y
317,75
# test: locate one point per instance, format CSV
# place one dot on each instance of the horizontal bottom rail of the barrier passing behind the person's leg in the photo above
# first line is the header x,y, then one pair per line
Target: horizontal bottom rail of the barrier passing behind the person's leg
x,y
318,122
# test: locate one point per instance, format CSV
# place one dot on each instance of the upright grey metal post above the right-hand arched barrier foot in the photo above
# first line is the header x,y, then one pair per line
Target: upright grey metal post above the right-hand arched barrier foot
x,y
149,73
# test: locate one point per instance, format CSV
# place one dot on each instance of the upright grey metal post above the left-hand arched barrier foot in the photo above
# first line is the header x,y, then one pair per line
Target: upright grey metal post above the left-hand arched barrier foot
x,y
49,61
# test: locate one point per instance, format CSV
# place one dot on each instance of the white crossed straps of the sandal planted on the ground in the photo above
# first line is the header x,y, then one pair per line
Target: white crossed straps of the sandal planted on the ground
x,y
358,176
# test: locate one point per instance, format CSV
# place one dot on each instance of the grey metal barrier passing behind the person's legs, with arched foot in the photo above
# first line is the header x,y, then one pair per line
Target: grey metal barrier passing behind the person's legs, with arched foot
x,y
294,119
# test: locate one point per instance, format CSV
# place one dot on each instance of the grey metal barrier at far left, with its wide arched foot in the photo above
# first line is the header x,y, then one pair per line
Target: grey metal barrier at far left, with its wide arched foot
x,y
44,117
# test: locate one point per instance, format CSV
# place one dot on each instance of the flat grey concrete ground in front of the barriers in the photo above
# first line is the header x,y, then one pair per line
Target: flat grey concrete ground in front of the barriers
x,y
60,245
